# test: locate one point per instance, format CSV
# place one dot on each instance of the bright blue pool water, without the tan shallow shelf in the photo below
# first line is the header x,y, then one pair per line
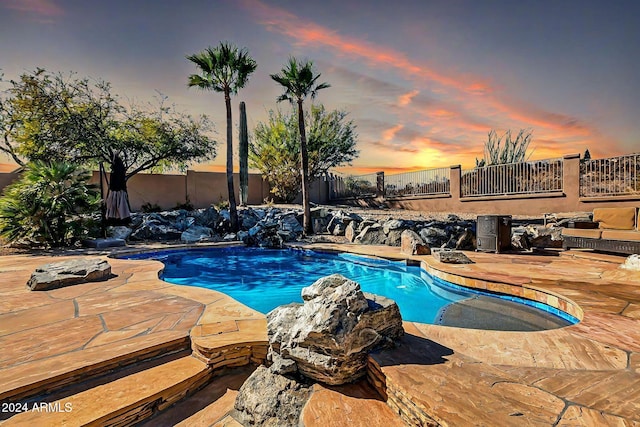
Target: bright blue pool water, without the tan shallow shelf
x,y
265,278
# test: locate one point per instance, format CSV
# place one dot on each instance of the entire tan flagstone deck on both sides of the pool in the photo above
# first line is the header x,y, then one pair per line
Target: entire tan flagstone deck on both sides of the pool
x,y
586,374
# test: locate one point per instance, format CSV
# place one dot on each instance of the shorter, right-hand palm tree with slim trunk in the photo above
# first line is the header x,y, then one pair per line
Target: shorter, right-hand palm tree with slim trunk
x,y
299,81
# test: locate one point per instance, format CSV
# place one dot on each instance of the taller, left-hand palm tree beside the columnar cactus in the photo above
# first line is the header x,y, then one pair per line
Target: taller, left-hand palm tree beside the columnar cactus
x,y
224,68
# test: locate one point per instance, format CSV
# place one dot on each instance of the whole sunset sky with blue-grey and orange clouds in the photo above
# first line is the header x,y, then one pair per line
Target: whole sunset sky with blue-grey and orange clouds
x,y
424,81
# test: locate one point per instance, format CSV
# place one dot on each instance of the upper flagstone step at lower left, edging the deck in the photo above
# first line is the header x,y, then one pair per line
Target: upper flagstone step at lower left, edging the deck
x,y
46,376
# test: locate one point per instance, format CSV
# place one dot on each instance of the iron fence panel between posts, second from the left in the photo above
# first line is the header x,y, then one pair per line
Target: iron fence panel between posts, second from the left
x,y
424,182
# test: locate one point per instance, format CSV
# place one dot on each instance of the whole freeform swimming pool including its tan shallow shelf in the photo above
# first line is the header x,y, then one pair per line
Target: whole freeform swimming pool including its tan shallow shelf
x,y
266,278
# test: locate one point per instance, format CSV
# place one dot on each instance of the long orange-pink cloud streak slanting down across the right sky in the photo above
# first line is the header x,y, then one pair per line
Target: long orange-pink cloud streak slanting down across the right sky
x,y
474,107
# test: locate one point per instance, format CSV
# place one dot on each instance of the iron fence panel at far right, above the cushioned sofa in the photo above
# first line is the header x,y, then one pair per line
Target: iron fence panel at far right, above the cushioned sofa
x,y
613,176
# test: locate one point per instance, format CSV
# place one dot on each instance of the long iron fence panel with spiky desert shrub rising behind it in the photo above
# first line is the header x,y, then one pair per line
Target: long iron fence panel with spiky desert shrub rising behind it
x,y
540,176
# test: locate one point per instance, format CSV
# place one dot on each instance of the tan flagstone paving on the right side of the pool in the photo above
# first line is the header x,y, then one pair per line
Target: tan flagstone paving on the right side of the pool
x,y
586,374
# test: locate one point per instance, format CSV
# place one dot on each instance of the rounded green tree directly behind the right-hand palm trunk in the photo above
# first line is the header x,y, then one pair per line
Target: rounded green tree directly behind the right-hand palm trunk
x,y
275,148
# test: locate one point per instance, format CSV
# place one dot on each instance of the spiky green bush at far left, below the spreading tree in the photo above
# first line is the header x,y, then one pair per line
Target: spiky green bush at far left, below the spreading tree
x,y
50,205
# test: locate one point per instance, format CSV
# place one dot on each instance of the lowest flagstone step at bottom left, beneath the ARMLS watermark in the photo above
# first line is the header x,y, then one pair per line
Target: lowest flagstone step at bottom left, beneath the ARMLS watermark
x,y
125,401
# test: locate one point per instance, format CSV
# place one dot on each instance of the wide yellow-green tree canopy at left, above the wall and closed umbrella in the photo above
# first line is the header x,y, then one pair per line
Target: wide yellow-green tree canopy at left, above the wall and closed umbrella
x,y
57,117
